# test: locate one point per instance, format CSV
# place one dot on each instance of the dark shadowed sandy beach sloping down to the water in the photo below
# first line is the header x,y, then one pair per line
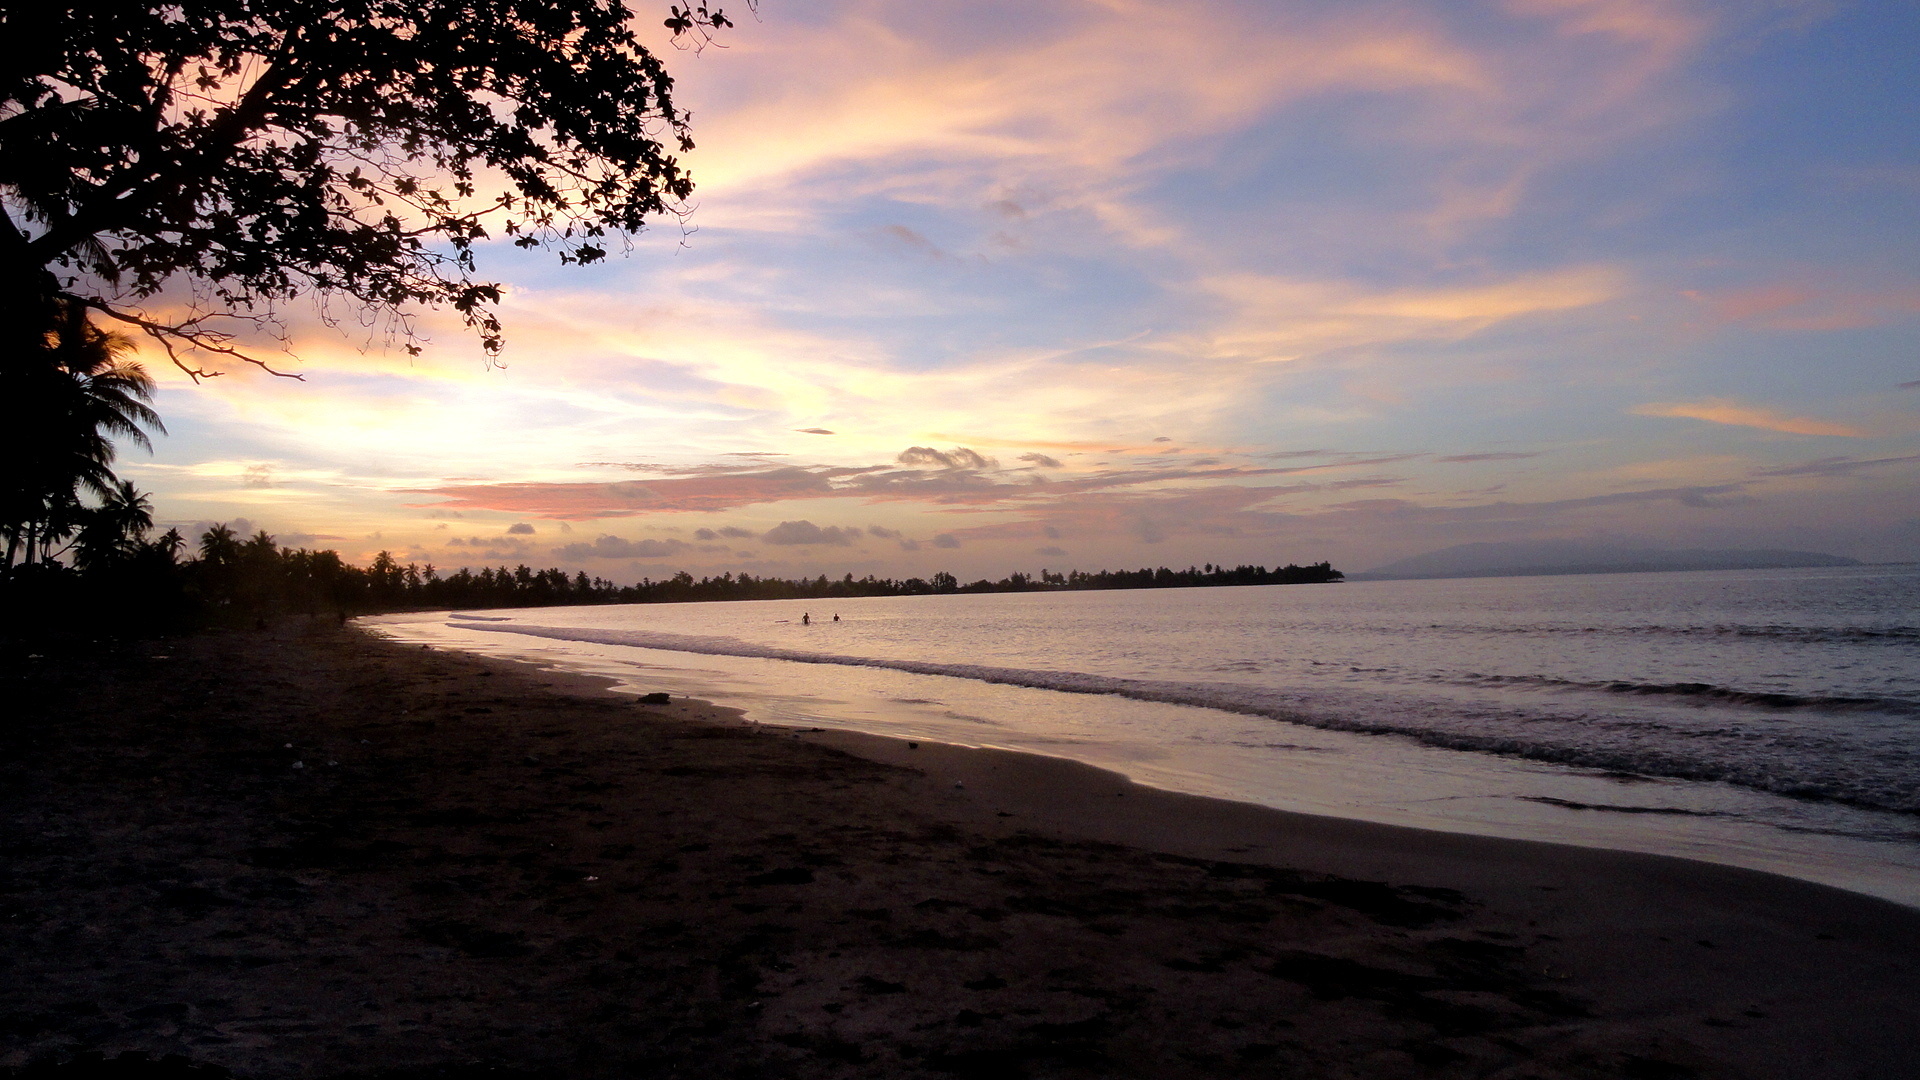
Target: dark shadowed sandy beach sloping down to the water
x,y
481,864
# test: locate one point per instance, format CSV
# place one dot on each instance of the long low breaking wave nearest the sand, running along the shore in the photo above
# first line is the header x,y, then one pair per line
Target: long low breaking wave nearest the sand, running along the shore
x,y
1798,764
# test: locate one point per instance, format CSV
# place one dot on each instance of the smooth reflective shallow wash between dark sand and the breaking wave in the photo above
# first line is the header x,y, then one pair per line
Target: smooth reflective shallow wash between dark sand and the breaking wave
x,y
1508,798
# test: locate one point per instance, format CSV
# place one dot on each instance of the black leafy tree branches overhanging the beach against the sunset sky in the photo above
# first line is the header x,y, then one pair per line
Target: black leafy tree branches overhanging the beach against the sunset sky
x,y
243,153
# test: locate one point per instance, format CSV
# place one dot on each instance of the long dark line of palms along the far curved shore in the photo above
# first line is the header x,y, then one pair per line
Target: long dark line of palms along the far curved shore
x,y
228,579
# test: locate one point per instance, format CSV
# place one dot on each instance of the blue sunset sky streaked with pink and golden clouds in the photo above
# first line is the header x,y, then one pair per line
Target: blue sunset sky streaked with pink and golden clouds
x,y
1103,283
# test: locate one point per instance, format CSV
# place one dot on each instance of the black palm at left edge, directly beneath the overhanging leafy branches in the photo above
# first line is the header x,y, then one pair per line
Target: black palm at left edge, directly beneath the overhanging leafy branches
x,y
62,405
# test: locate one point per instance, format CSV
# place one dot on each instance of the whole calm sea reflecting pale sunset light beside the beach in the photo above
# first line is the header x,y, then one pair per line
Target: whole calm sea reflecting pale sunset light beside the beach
x,y
1754,718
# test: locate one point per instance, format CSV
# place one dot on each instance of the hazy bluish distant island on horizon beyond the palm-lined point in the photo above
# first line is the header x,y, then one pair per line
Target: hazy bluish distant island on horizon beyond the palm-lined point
x,y
1529,558
